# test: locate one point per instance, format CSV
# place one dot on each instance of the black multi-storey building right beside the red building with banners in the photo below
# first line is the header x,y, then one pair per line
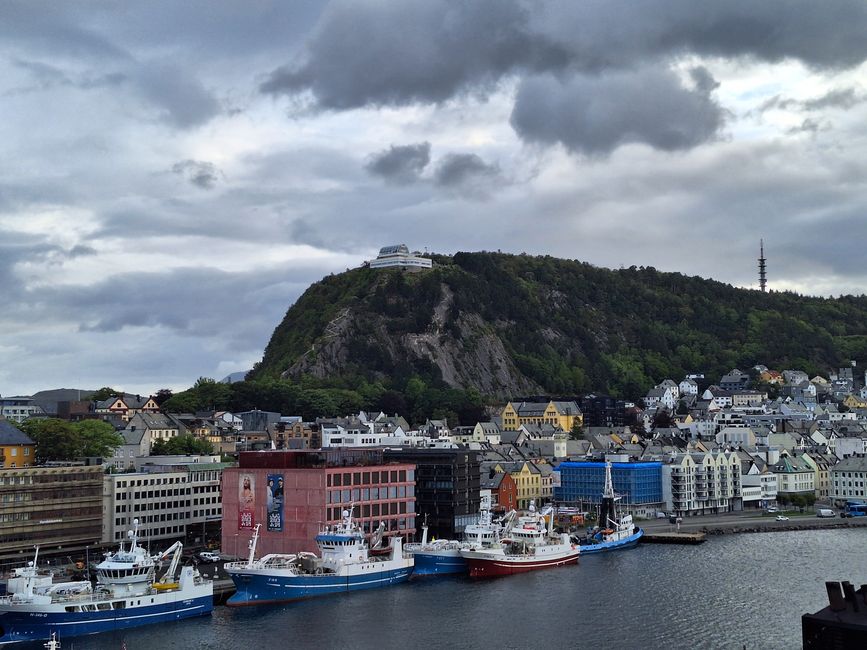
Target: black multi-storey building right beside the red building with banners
x,y
446,487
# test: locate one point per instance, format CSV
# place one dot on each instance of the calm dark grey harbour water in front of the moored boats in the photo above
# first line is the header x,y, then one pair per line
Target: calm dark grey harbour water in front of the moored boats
x,y
733,591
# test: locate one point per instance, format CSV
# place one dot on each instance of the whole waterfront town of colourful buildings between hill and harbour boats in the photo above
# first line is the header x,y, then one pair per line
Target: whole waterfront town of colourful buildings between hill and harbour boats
x,y
760,441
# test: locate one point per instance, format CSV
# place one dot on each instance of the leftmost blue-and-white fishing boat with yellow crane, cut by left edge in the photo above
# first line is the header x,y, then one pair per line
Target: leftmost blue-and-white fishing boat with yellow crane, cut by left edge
x,y
126,595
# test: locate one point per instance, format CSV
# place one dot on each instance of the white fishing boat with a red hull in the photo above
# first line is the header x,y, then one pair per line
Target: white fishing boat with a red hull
x,y
531,545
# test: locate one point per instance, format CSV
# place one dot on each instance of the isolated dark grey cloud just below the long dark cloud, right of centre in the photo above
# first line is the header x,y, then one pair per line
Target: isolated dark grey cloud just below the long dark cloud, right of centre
x,y
597,114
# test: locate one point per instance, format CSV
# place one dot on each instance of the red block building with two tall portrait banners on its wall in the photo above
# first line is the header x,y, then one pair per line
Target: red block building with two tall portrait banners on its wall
x,y
292,493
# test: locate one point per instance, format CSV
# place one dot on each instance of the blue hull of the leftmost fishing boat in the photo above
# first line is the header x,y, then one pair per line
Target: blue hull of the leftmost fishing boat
x,y
35,623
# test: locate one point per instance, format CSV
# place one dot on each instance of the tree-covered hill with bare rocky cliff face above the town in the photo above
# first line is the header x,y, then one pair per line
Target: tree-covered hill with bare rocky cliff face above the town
x,y
512,325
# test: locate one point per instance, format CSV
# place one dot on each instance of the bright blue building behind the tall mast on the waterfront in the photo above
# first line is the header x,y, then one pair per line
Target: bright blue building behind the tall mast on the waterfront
x,y
640,484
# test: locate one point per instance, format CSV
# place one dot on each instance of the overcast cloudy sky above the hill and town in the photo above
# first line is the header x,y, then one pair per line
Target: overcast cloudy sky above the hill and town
x,y
174,175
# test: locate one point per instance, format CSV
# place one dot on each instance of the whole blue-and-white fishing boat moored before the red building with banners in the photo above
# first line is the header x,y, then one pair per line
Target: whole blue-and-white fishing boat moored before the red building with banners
x,y
344,564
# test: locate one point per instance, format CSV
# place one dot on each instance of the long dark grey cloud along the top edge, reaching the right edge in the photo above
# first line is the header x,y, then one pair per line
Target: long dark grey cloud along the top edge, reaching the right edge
x,y
380,53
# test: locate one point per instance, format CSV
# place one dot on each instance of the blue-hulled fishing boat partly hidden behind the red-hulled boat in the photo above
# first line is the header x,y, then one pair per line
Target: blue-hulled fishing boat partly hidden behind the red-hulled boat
x,y
443,556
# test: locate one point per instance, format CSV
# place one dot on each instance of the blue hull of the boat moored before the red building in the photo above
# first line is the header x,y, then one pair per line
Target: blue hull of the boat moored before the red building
x,y
259,588
